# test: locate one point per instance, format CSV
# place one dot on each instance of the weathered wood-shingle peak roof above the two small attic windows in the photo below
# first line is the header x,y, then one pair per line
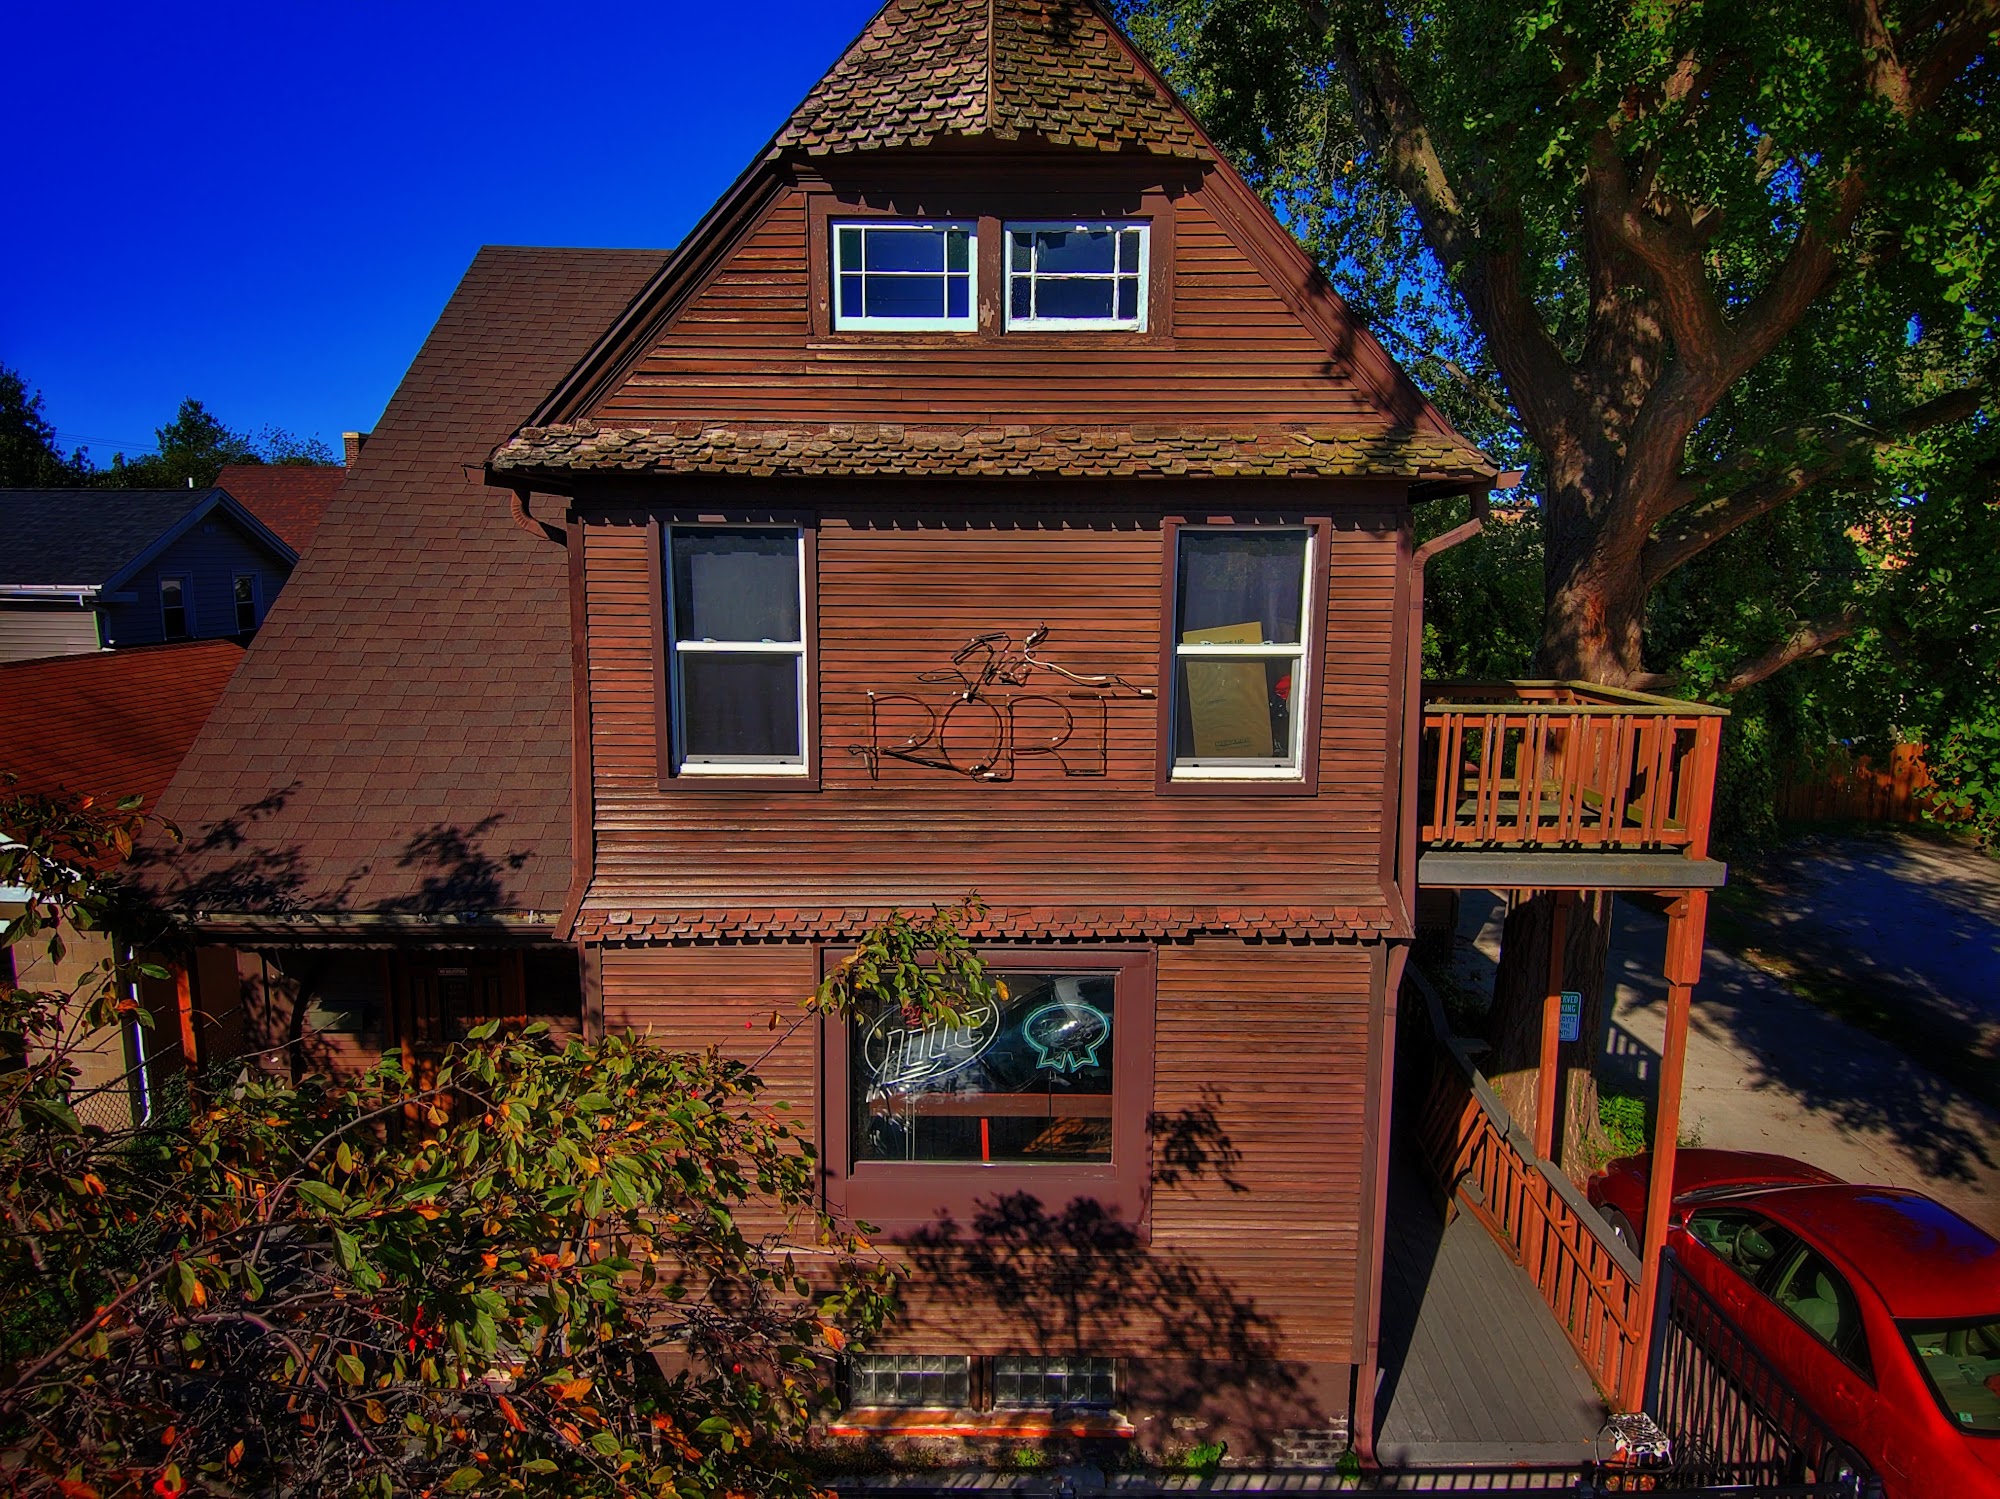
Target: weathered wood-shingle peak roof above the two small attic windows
x,y
929,71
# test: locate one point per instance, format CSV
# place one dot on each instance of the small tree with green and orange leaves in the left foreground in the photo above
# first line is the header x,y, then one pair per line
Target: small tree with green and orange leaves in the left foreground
x,y
581,1270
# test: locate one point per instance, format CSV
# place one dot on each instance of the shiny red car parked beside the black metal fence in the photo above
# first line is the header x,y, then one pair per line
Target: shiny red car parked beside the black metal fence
x,y
1877,1304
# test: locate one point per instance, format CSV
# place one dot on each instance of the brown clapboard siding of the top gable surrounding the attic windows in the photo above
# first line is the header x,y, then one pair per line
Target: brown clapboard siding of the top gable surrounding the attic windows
x,y
745,351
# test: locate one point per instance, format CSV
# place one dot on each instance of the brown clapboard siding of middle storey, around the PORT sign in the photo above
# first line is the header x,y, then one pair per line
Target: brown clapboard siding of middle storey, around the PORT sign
x,y
897,597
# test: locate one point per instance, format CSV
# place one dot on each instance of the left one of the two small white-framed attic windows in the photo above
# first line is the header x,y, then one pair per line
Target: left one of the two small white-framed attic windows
x,y
907,277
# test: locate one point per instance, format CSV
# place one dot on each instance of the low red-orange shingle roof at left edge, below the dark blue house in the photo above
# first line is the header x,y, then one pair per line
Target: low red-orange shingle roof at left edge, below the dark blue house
x,y
109,725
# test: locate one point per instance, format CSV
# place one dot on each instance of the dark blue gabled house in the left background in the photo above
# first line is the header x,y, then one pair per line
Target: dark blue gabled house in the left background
x,y
89,571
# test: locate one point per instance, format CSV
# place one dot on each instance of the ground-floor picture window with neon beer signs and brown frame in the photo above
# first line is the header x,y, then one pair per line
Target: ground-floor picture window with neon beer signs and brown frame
x,y
1041,1090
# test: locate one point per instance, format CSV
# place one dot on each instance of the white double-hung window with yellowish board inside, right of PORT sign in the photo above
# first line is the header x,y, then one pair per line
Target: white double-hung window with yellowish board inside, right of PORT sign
x,y
1243,619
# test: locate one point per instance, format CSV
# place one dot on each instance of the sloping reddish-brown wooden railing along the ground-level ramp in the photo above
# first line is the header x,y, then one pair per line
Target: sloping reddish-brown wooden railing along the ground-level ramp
x,y
1485,1164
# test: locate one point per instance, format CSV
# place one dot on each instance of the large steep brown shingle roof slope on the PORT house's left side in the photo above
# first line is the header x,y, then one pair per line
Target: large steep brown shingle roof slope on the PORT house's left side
x,y
399,737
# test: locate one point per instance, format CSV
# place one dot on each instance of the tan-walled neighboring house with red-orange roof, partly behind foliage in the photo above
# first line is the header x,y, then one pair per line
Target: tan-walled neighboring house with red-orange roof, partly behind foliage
x,y
111,727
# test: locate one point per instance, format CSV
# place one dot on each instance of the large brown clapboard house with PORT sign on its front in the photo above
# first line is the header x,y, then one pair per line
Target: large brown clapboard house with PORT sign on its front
x,y
989,497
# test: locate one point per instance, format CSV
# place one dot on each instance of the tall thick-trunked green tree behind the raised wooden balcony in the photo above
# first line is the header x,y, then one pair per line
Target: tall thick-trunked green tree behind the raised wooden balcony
x,y
1715,275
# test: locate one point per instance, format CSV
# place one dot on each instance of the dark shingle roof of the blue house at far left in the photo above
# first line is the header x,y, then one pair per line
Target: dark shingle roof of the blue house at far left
x,y
83,537
